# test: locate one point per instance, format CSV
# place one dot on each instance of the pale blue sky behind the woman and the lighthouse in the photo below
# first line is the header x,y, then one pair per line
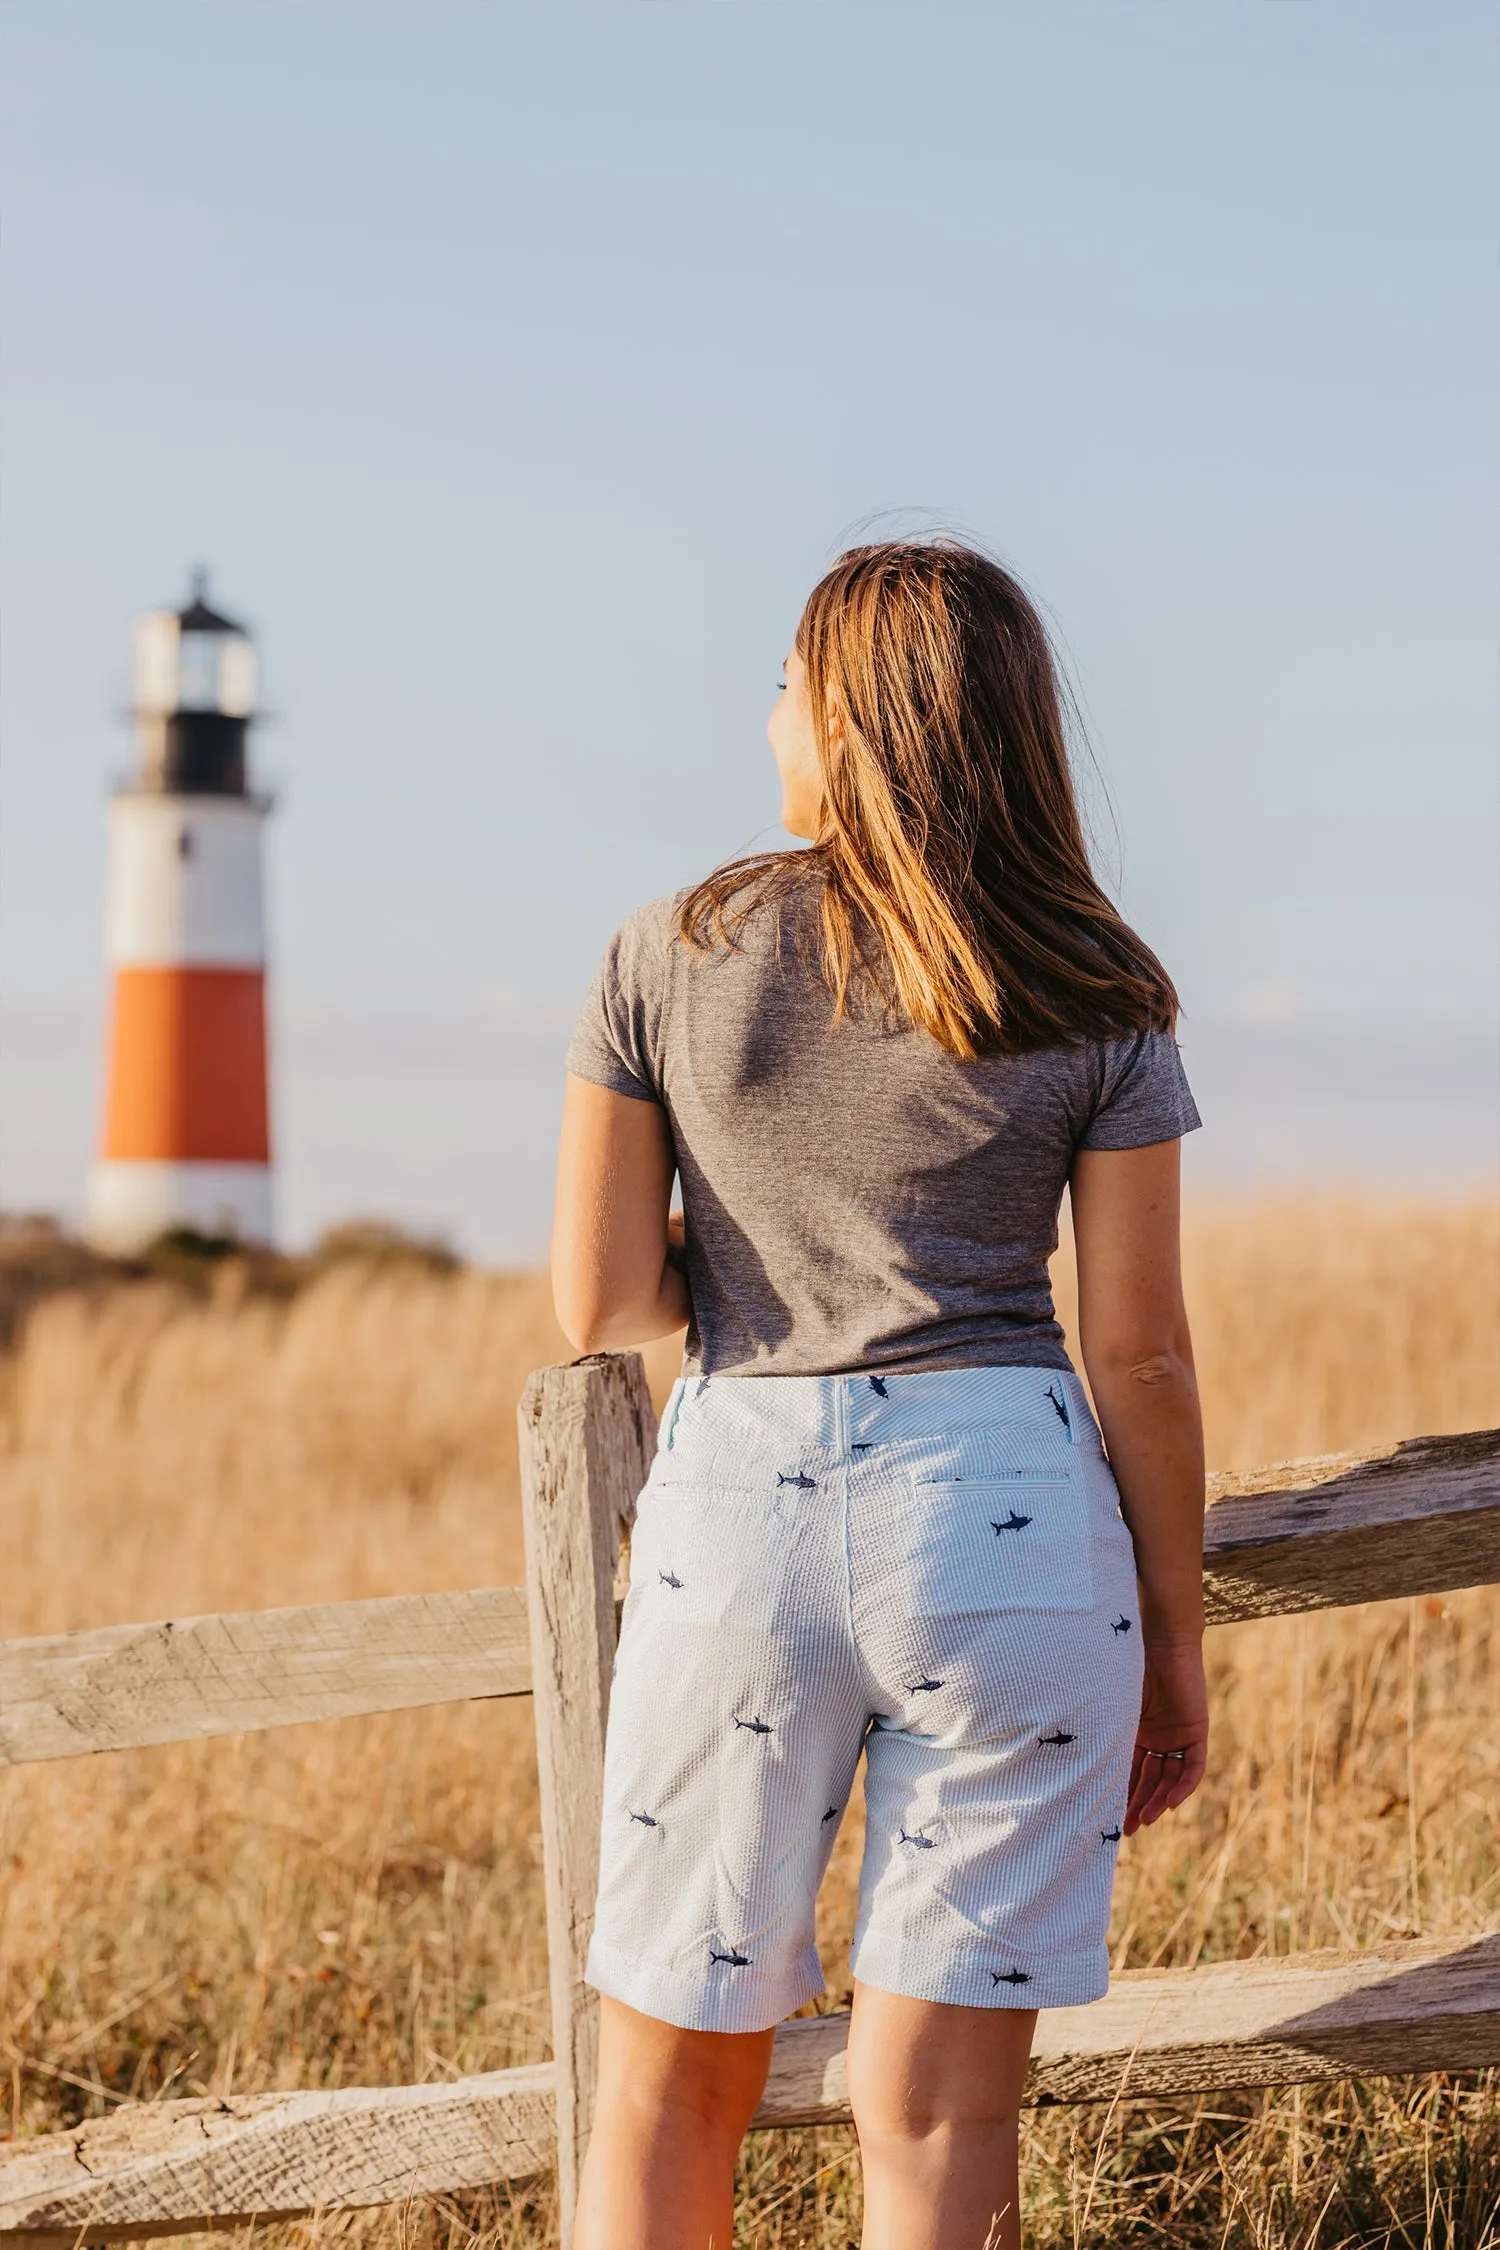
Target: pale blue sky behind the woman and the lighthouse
x,y
516,370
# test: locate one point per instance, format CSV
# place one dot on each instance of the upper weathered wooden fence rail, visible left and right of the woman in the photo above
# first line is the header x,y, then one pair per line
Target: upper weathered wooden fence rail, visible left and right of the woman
x,y
1303,1536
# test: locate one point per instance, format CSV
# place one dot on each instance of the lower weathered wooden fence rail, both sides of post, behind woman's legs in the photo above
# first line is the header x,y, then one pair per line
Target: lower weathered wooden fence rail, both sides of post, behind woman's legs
x,y
188,2166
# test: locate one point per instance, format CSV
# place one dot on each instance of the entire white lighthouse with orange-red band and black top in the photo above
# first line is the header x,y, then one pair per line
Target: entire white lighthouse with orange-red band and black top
x,y
186,1117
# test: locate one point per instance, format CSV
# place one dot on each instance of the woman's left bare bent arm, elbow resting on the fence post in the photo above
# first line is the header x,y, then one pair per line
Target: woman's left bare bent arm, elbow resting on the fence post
x,y
617,1277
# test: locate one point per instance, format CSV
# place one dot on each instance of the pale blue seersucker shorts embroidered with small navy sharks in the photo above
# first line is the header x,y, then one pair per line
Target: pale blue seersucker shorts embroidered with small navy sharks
x,y
925,1569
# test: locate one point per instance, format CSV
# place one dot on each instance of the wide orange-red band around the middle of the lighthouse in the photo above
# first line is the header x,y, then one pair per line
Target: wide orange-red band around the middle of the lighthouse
x,y
188,1068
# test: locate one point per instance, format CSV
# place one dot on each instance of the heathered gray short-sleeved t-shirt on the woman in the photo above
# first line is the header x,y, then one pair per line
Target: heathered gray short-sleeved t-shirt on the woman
x,y
856,1196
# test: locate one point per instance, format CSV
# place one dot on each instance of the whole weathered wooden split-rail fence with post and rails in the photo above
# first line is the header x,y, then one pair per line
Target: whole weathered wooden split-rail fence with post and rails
x,y
1422,1518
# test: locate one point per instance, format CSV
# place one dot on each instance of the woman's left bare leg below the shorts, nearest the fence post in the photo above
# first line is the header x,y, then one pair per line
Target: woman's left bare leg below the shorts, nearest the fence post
x,y
669,2123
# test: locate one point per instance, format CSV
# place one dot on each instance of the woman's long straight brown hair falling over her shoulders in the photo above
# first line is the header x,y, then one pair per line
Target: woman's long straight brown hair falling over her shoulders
x,y
952,861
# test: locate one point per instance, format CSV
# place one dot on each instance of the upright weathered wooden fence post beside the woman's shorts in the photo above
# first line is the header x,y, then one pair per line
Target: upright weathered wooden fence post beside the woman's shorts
x,y
588,1439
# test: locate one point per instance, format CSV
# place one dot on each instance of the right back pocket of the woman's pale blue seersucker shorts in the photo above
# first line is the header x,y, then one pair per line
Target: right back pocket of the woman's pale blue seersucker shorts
x,y
1011,1540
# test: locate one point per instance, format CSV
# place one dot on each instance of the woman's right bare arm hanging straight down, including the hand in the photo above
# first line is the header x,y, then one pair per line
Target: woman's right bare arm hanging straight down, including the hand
x,y
1139,1360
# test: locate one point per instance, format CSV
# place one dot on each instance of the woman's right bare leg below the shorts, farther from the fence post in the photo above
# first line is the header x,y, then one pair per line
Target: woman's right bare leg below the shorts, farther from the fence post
x,y
937,2094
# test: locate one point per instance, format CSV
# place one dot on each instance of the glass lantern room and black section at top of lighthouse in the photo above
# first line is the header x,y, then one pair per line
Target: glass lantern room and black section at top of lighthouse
x,y
195,699
